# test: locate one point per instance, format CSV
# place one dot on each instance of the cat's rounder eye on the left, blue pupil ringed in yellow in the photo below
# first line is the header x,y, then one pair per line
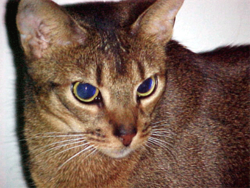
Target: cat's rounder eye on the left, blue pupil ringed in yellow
x,y
85,92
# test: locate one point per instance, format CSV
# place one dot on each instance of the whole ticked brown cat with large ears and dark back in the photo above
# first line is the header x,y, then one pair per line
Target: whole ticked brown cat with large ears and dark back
x,y
112,101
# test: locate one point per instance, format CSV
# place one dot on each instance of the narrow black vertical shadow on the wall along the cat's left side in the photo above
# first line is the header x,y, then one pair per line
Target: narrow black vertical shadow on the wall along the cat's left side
x,y
18,58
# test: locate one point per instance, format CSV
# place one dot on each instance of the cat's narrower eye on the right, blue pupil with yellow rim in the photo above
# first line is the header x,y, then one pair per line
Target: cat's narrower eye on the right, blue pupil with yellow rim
x,y
147,87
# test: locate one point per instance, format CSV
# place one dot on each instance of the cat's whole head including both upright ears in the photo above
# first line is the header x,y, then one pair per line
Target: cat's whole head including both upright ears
x,y
101,80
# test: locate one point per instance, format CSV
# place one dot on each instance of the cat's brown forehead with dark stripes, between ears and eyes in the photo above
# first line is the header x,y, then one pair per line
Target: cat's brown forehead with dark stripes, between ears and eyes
x,y
111,58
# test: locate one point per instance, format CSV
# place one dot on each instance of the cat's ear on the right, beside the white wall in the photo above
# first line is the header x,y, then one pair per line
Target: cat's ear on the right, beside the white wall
x,y
157,21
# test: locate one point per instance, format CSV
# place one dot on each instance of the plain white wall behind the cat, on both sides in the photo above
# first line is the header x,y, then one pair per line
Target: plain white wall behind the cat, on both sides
x,y
201,25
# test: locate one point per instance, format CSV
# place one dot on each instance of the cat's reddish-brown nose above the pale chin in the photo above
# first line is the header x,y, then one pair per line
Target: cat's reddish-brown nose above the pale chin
x,y
126,134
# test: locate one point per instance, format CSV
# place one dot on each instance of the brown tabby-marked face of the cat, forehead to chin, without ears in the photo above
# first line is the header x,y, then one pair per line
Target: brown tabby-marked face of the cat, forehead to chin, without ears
x,y
108,97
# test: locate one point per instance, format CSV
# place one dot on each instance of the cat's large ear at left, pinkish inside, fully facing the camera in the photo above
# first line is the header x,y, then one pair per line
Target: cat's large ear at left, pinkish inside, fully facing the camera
x,y
43,24
